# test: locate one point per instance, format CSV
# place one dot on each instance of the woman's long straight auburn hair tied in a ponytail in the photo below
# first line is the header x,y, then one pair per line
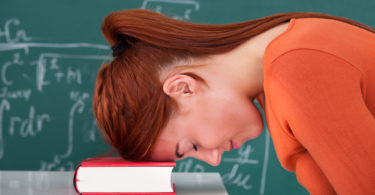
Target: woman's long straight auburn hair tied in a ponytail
x,y
129,103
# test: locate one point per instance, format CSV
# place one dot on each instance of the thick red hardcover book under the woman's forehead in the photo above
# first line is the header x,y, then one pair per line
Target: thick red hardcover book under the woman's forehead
x,y
113,175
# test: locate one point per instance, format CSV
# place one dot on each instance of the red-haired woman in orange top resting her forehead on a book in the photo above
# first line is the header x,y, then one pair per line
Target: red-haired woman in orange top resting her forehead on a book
x,y
176,89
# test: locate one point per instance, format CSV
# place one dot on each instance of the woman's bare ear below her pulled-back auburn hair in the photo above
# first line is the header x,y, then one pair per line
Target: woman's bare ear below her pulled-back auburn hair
x,y
179,85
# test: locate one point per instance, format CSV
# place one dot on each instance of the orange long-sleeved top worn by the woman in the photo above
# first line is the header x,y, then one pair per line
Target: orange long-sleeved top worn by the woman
x,y
319,87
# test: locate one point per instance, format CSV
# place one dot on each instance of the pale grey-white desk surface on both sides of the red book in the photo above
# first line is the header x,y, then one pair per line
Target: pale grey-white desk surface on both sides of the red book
x,y
61,183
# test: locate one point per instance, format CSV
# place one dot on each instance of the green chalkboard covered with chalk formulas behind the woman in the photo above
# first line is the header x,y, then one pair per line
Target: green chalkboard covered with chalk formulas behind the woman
x,y
50,52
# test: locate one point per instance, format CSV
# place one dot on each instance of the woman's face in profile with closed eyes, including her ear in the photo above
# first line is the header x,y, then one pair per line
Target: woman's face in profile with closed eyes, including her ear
x,y
212,119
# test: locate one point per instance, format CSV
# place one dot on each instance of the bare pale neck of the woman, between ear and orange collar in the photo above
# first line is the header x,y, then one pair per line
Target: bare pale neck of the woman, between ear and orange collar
x,y
241,70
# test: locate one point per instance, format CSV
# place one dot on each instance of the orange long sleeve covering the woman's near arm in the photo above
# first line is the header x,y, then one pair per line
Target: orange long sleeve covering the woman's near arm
x,y
319,96
